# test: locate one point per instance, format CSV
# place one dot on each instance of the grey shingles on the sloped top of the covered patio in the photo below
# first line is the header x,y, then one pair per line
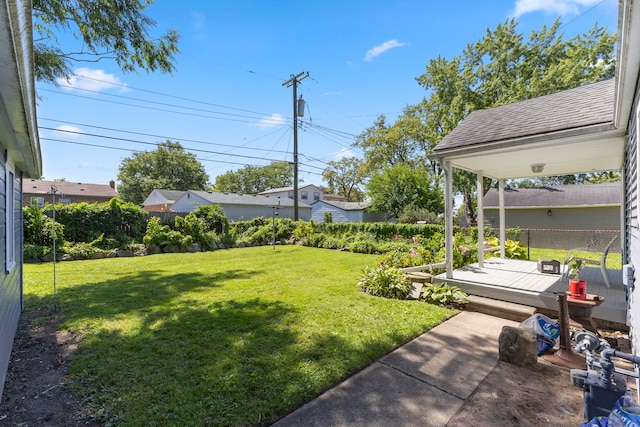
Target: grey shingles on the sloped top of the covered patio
x,y
581,107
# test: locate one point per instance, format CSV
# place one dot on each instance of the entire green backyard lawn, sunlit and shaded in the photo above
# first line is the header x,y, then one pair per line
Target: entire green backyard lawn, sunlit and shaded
x,y
234,337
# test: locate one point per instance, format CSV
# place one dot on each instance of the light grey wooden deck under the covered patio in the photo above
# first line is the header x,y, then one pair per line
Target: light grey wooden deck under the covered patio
x,y
520,282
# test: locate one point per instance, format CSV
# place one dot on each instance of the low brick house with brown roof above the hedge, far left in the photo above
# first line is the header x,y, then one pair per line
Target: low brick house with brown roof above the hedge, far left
x,y
36,192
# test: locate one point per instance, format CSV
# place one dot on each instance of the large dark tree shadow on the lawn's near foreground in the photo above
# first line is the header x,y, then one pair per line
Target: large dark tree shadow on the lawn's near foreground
x,y
232,363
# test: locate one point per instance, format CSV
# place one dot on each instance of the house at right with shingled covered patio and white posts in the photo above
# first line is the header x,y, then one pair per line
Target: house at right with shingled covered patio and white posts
x,y
590,128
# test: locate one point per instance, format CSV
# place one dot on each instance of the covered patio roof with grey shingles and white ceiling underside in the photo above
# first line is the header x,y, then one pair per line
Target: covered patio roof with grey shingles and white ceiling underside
x,y
563,133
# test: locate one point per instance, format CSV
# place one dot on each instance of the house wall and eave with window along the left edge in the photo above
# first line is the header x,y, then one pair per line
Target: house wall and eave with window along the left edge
x,y
20,159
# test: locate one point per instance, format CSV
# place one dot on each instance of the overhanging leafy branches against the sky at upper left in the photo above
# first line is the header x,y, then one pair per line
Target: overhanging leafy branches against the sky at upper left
x,y
107,29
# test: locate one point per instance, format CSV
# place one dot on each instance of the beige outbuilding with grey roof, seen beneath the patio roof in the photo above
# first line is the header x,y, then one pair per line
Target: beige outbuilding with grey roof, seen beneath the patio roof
x,y
561,207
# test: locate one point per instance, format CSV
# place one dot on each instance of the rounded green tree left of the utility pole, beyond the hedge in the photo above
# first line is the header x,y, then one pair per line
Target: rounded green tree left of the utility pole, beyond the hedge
x,y
168,167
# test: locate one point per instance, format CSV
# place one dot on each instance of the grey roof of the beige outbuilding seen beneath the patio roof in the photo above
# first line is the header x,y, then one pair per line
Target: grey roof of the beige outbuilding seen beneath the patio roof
x,y
561,195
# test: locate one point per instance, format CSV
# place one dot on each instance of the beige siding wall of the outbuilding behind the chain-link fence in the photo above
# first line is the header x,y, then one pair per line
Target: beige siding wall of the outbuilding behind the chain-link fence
x,y
592,218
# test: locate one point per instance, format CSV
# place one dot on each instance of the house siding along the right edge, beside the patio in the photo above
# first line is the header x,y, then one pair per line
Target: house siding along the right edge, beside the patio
x,y
631,225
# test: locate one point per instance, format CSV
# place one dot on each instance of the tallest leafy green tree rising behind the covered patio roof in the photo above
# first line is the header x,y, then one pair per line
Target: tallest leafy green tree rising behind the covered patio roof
x,y
498,69
